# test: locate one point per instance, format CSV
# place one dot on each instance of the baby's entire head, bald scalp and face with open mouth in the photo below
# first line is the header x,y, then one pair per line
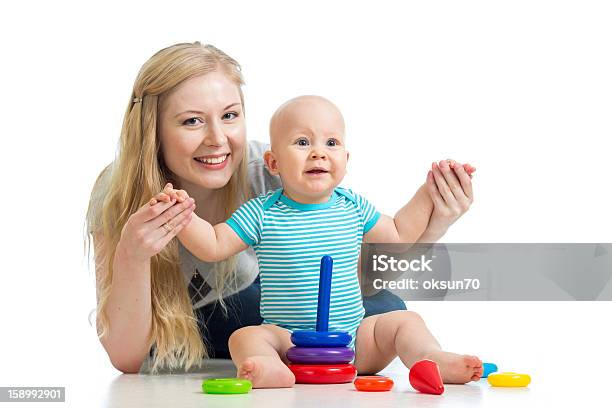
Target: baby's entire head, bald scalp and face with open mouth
x,y
308,151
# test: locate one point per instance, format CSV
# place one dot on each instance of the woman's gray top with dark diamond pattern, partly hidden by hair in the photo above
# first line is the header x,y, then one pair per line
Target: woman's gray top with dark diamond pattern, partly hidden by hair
x,y
198,275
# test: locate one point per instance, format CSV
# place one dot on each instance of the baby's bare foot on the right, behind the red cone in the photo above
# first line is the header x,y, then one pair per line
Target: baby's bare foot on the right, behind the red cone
x,y
457,368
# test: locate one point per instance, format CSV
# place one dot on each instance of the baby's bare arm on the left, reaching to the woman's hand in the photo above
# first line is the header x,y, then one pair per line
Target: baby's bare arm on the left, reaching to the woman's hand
x,y
205,241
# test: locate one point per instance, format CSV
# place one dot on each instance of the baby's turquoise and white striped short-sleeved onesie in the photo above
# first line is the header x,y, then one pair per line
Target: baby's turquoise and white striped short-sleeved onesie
x,y
289,239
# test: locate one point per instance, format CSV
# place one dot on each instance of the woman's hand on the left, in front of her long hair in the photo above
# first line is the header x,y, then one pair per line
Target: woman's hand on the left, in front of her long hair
x,y
149,229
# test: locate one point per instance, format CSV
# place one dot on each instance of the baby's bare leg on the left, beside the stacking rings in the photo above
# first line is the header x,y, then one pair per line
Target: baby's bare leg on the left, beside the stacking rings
x,y
256,352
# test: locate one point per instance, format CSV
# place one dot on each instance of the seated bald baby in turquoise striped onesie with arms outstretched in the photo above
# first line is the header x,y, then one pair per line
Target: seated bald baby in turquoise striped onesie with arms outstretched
x,y
291,229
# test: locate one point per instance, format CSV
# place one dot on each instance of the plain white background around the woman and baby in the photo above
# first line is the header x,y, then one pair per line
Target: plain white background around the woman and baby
x,y
522,90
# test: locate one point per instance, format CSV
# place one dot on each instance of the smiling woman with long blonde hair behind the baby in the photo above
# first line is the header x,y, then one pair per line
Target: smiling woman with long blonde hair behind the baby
x,y
184,124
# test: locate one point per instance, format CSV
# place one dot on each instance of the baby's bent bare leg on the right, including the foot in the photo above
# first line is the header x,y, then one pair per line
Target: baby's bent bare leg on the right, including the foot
x,y
402,333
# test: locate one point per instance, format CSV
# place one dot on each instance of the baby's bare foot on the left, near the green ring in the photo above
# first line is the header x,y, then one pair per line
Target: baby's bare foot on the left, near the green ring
x,y
266,372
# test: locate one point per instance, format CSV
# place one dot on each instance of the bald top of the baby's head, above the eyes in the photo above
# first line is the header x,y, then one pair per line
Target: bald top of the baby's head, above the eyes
x,y
308,113
